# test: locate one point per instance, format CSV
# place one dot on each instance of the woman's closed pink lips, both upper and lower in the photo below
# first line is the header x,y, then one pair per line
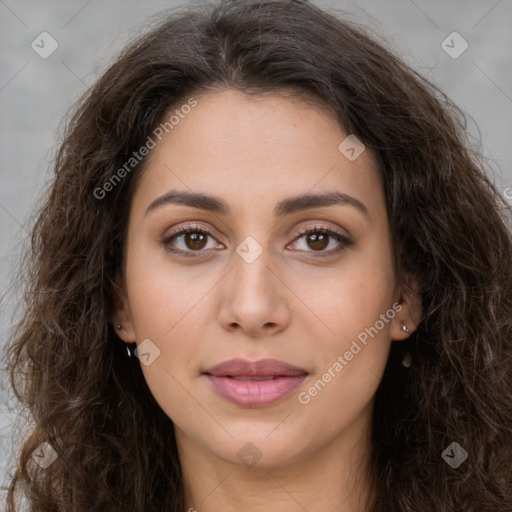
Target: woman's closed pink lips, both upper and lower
x,y
281,379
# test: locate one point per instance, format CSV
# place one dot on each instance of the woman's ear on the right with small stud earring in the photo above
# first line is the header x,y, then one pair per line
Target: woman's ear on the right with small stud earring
x,y
409,312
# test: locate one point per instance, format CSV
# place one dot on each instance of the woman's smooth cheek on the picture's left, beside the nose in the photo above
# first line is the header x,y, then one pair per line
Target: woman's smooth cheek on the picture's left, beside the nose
x,y
168,309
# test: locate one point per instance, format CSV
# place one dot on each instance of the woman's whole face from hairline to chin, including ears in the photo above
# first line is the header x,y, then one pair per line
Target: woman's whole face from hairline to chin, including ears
x,y
253,286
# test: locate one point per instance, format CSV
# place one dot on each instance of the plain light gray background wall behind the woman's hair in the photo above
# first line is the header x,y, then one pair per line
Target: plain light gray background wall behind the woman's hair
x,y
36,93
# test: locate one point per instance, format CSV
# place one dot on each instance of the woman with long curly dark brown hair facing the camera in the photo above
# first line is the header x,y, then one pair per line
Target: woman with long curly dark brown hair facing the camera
x,y
268,275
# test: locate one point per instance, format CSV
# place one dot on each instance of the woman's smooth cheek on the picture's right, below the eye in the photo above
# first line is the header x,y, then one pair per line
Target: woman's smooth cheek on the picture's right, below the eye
x,y
356,309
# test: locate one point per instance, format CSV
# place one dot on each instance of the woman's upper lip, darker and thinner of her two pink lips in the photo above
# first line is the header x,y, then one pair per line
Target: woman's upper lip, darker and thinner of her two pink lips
x,y
262,368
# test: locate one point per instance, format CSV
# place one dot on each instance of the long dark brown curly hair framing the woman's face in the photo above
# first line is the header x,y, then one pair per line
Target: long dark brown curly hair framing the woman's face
x,y
450,230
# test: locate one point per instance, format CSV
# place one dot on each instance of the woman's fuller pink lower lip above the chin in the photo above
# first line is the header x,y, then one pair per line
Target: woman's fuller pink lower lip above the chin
x,y
255,393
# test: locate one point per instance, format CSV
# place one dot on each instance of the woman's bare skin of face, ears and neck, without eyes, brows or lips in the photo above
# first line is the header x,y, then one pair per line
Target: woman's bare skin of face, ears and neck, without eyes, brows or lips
x,y
291,303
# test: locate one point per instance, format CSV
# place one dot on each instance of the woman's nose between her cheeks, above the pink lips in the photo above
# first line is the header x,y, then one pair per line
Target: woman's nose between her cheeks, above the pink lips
x,y
254,299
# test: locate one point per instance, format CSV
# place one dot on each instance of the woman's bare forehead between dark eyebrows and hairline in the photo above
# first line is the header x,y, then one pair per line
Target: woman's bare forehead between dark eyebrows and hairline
x,y
266,146
